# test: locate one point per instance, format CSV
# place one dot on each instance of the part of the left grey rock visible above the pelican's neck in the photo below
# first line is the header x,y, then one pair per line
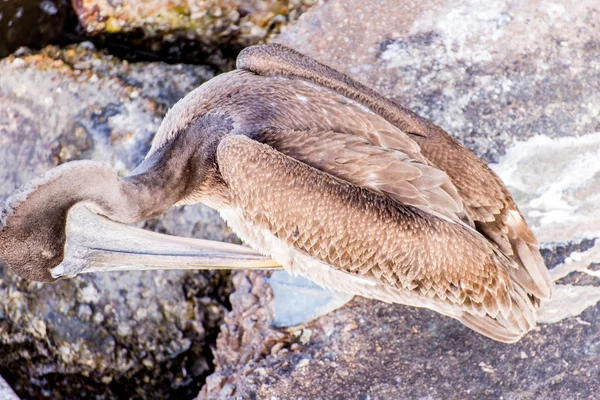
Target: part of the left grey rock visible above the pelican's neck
x,y
61,105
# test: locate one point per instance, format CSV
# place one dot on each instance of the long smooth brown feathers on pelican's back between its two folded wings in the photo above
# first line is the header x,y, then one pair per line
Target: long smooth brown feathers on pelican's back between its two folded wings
x,y
358,161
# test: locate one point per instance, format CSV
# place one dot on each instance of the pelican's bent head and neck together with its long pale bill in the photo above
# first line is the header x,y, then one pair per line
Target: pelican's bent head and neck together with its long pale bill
x,y
38,234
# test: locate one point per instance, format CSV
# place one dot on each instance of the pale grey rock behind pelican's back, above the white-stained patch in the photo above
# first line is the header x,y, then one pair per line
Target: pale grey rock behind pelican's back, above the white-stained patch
x,y
486,72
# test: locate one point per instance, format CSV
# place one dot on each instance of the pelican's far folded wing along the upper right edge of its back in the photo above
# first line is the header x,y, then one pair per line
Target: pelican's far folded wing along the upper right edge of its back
x,y
486,201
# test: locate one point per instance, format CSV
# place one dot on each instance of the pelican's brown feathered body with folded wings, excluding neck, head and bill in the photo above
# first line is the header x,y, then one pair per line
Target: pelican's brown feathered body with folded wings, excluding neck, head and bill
x,y
392,199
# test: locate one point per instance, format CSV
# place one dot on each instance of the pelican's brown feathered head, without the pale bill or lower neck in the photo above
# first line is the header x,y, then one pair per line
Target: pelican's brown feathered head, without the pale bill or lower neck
x,y
33,221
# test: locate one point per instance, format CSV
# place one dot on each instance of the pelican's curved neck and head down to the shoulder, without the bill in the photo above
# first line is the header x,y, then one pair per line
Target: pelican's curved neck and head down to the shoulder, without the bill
x,y
32,224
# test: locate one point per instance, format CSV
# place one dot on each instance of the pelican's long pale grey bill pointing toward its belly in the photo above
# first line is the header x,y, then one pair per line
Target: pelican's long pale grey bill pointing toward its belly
x,y
97,244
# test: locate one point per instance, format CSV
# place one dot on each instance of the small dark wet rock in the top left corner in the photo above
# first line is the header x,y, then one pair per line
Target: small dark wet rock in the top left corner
x,y
30,23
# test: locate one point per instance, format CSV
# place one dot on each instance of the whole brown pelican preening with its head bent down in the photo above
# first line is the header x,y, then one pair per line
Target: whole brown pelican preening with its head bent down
x,y
332,180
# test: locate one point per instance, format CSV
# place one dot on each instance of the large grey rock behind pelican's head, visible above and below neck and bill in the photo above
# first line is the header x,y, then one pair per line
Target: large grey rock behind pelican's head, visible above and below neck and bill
x,y
143,335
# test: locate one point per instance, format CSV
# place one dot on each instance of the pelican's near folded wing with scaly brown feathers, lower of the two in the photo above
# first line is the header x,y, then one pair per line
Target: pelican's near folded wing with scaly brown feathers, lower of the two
x,y
405,252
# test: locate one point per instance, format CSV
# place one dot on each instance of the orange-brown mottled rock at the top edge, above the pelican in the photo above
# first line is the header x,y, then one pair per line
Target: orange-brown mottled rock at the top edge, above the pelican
x,y
217,28
